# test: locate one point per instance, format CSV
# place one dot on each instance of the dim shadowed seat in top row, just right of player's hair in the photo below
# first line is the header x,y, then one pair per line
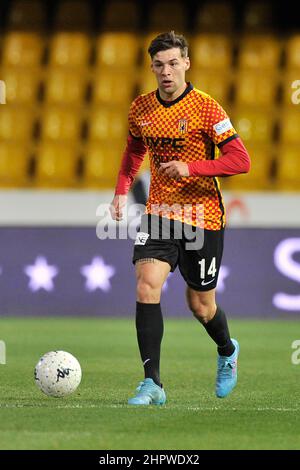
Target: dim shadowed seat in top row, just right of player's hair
x,y
214,17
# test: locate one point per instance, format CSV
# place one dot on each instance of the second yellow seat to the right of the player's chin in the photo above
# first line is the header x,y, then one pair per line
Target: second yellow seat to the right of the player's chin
x,y
254,88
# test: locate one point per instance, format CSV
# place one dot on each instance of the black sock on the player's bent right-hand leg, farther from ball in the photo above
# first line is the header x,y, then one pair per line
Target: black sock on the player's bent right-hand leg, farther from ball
x,y
217,329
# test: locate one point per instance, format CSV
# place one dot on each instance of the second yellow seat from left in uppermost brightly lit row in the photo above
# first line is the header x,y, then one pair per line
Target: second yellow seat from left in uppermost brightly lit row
x,y
70,49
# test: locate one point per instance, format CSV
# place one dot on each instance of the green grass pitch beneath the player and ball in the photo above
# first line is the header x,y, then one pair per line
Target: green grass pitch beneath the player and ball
x,y
263,412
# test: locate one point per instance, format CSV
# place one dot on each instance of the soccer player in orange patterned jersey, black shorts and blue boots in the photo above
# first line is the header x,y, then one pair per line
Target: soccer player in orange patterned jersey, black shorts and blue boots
x,y
179,127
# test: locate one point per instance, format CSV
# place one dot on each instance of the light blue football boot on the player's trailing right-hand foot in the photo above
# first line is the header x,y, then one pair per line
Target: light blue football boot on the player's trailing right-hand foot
x,y
227,372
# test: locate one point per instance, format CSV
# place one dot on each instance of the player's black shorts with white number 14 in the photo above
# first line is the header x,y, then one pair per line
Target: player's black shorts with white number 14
x,y
197,252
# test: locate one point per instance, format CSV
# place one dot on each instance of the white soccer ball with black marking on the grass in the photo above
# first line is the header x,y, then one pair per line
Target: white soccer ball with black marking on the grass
x,y
57,373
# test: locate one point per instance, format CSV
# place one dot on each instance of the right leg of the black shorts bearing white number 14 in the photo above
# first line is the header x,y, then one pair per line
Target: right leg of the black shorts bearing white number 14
x,y
200,267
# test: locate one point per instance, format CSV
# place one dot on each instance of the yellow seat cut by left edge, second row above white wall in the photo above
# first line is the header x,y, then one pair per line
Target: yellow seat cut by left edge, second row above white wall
x,y
16,123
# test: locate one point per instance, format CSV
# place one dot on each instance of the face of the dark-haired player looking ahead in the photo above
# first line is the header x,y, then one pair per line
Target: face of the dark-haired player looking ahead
x,y
169,68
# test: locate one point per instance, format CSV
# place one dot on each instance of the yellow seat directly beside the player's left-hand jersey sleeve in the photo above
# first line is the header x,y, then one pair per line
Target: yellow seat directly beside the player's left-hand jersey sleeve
x,y
108,123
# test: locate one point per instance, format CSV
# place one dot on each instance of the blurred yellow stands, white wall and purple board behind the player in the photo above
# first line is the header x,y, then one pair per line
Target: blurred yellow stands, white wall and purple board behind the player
x,y
71,69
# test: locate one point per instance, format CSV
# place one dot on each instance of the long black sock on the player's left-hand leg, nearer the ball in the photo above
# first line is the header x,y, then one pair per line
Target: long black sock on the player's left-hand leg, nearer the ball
x,y
150,328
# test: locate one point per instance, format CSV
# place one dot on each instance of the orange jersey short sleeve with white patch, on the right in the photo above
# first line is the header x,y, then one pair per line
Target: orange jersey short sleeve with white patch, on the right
x,y
216,123
